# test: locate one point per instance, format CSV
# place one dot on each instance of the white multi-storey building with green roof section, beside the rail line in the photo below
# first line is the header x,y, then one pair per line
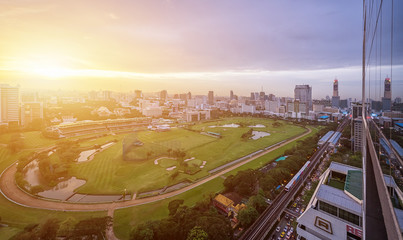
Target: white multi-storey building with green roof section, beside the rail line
x,y
335,209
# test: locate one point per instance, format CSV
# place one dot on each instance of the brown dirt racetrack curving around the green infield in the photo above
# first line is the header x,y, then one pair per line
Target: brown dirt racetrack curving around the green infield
x,y
13,193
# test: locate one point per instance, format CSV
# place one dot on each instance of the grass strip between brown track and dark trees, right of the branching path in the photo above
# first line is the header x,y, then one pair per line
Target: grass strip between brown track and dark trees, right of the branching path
x,y
125,219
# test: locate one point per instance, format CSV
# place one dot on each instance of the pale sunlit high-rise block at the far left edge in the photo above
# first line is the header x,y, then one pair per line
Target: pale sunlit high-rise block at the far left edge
x,y
9,103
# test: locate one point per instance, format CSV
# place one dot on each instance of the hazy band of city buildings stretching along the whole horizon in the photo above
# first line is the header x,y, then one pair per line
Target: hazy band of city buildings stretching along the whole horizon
x,y
22,109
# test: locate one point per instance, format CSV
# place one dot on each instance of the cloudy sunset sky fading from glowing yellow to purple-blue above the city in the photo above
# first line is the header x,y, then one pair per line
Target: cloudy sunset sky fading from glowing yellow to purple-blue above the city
x,y
197,46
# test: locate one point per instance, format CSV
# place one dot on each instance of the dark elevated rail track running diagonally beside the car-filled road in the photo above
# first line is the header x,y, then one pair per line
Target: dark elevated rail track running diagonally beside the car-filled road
x,y
264,223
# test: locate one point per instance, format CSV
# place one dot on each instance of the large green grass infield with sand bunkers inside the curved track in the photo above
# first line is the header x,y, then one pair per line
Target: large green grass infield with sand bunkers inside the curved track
x,y
108,173
